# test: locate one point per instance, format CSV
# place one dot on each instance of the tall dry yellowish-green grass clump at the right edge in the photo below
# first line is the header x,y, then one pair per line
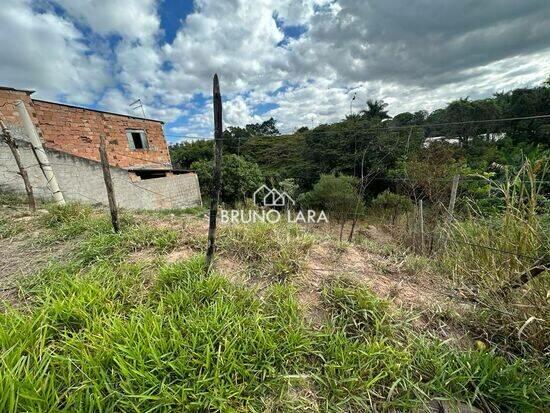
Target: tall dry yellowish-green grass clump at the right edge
x,y
516,319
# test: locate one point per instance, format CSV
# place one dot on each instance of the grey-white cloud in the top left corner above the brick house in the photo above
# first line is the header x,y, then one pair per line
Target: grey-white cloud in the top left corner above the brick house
x,y
45,52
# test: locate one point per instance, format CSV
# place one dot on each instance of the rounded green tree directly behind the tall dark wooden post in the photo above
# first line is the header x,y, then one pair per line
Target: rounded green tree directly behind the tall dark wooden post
x,y
240,177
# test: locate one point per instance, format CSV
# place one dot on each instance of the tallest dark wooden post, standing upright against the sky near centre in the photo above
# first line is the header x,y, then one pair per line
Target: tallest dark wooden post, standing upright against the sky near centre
x,y
216,175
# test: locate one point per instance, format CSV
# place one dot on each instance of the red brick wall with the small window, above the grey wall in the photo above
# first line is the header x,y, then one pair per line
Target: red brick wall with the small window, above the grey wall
x,y
76,131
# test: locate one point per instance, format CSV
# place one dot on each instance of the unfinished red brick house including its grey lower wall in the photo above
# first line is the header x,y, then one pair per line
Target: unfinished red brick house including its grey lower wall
x,y
136,147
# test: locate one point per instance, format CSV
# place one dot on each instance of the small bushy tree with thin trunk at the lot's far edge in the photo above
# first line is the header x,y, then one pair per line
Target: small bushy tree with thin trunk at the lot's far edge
x,y
337,195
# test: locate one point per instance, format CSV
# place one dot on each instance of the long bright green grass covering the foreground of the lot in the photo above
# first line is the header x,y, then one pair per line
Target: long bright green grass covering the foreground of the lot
x,y
99,333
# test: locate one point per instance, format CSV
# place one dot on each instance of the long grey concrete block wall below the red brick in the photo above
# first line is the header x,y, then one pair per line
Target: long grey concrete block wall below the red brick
x,y
81,180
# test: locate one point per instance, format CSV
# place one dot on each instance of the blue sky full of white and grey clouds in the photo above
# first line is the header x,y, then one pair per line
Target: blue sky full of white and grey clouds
x,y
298,61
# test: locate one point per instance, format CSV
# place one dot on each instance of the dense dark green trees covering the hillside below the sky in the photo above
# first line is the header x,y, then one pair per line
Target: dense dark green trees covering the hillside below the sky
x,y
385,149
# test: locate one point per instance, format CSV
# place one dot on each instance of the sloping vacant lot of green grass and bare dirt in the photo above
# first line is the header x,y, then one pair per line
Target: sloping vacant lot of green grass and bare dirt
x,y
290,320
